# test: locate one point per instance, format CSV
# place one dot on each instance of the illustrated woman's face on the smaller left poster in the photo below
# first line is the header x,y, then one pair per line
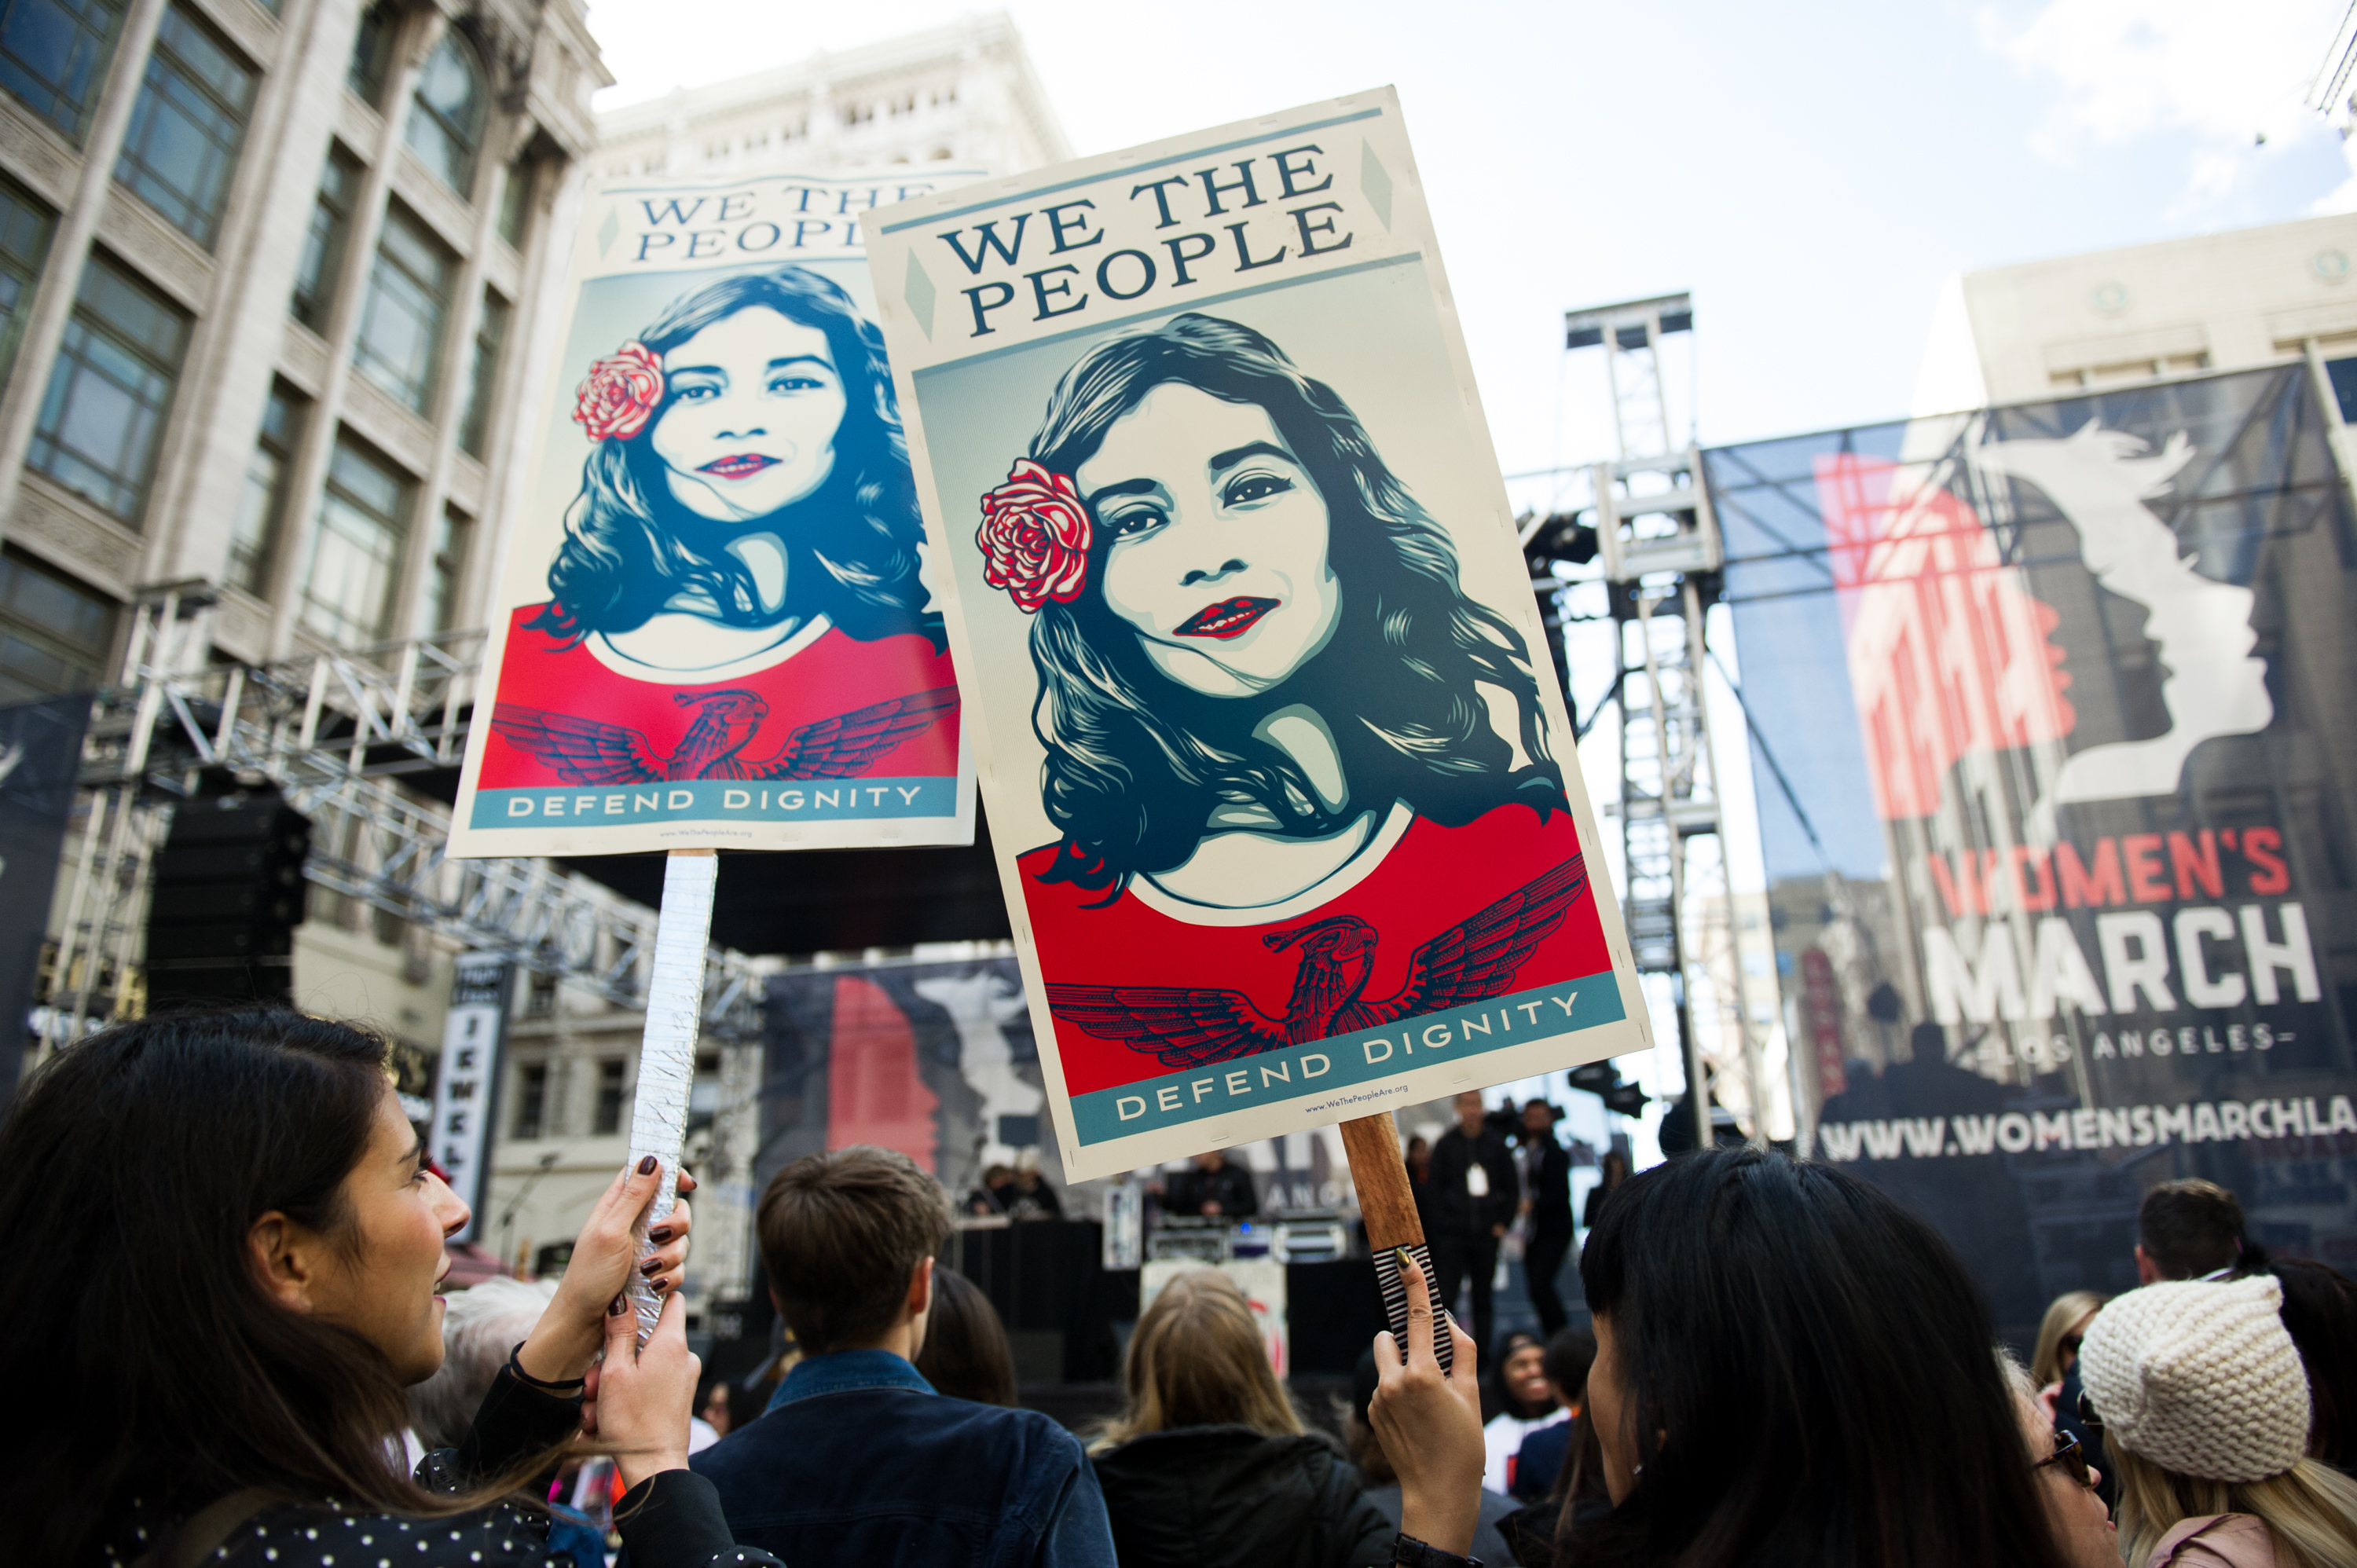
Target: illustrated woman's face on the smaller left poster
x,y
753,419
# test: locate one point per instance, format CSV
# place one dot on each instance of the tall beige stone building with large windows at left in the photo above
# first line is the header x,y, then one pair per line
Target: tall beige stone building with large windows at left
x,y
275,282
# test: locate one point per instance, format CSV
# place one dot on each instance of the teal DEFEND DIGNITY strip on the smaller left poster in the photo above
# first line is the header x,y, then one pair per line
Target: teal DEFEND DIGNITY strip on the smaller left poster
x,y
713,801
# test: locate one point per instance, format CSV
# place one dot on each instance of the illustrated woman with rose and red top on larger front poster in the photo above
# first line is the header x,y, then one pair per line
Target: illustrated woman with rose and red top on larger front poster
x,y
1283,744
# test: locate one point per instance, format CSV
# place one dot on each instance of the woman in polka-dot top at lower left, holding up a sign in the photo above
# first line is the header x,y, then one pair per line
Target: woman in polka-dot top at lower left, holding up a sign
x,y
230,1249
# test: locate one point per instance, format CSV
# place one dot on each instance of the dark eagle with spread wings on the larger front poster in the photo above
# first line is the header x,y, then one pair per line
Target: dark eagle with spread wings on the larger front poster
x,y
1191,1027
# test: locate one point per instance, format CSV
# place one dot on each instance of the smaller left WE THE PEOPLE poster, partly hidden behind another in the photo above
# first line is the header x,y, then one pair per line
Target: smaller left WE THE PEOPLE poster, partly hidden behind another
x,y
715,624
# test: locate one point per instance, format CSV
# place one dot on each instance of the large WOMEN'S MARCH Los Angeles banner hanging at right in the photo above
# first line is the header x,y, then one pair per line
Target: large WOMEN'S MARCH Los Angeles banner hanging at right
x,y
2061,810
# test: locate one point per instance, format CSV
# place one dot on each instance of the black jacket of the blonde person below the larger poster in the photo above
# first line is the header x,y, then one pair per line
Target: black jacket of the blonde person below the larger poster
x,y
1213,1496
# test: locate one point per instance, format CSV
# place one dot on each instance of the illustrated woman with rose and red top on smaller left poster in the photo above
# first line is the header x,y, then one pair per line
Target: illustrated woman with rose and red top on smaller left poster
x,y
746,539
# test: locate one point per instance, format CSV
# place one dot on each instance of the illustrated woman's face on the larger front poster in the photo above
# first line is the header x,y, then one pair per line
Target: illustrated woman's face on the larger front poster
x,y
1220,541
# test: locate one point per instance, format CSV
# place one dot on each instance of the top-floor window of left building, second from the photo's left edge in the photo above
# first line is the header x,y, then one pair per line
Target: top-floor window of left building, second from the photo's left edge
x,y
187,126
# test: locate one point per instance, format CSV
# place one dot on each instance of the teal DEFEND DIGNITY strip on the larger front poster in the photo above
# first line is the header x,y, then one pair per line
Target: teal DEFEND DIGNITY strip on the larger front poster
x,y
1312,1074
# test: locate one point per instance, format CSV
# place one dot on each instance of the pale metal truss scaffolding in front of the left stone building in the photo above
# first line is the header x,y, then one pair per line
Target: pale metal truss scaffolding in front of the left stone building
x,y
334,732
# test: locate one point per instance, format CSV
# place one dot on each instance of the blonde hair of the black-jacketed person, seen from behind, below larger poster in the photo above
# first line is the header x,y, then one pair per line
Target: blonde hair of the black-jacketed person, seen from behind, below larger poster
x,y
1199,1362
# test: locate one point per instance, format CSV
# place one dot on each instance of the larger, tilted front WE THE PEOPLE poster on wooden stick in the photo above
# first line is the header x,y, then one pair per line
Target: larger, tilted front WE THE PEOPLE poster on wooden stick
x,y
1288,824
